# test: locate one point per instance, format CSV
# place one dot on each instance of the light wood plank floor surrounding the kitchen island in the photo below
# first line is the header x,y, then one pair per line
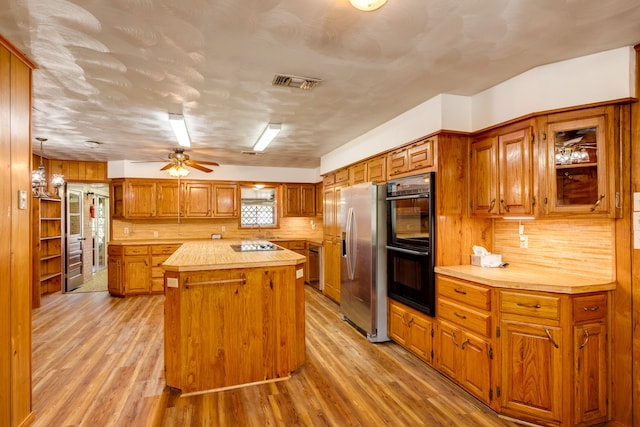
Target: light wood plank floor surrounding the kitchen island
x,y
98,361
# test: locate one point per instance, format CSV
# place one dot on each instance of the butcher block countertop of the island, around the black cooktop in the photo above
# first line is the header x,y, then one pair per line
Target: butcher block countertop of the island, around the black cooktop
x,y
219,255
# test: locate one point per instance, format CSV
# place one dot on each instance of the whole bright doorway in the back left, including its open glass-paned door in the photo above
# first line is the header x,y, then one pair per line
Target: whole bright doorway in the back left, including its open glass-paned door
x,y
86,237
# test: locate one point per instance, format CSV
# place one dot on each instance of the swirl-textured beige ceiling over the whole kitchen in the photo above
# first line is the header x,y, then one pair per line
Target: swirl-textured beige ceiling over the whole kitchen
x,y
111,71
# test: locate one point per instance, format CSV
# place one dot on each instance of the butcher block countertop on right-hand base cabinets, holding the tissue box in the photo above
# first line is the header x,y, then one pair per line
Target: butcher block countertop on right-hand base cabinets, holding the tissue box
x,y
527,278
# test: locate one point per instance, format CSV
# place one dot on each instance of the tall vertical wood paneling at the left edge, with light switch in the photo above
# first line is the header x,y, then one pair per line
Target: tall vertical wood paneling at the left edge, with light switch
x,y
15,229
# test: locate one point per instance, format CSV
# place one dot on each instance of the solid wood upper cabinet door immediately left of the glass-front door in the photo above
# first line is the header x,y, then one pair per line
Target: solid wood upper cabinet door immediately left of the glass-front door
x,y
515,173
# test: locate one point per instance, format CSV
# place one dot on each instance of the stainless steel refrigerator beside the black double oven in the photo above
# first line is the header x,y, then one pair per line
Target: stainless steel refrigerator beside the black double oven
x,y
363,264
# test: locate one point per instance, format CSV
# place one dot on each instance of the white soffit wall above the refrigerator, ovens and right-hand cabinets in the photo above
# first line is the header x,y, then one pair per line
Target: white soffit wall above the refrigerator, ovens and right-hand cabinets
x,y
594,78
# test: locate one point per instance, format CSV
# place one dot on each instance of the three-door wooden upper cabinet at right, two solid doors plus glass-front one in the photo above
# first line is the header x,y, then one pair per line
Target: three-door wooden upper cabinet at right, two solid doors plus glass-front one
x,y
561,164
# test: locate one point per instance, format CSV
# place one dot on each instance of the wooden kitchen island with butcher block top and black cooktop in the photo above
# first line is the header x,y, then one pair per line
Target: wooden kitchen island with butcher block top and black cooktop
x,y
234,314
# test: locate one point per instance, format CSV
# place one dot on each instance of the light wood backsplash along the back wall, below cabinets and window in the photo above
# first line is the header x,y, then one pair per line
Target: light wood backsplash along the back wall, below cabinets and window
x,y
293,227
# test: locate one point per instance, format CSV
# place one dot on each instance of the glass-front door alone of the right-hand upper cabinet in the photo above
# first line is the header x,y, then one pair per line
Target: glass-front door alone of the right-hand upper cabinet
x,y
577,180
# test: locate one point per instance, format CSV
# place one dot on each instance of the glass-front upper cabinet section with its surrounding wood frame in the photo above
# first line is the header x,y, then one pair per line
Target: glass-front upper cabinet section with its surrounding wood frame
x,y
581,162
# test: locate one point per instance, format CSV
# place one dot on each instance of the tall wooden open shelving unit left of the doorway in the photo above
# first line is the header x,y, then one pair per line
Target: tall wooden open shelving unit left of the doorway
x,y
48,250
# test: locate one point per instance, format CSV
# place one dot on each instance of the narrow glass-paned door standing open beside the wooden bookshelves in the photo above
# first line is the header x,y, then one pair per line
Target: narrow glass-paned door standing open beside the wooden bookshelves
x,y
75,237
